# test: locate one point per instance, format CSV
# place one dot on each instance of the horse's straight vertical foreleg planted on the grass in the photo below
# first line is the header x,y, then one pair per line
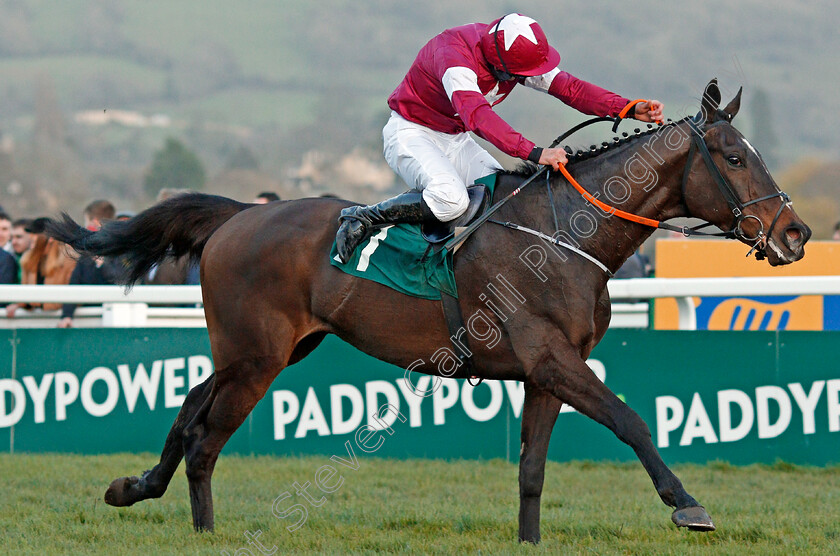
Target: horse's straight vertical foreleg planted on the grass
x,y
538,417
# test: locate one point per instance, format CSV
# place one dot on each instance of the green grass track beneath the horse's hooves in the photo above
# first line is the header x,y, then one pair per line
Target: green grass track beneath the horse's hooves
x,y
52,504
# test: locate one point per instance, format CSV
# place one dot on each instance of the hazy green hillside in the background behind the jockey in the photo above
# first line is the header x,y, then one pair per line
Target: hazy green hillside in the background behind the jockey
x,y
284,78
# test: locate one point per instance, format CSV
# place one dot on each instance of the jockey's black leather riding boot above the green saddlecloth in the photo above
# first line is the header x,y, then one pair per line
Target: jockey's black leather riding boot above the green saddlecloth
x,y
358,223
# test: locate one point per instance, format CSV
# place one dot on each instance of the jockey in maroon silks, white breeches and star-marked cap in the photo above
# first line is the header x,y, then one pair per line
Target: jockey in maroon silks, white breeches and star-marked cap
x,y
450,89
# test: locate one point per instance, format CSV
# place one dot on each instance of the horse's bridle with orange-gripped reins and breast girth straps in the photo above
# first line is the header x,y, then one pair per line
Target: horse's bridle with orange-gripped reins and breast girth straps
x,y
698,145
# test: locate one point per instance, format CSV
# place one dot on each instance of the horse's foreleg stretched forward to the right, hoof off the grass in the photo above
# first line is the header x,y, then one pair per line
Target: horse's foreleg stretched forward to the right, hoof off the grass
x,y
574,383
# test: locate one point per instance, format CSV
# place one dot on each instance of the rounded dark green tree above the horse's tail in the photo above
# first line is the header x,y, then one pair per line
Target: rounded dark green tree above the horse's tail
x,y
174,167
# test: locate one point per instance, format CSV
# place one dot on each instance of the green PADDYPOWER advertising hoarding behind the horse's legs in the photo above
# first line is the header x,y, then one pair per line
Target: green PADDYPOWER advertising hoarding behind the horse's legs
x,y
743,397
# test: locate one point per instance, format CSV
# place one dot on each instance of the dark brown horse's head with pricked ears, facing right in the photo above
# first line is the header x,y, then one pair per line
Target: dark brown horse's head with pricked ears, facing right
x,y
729,185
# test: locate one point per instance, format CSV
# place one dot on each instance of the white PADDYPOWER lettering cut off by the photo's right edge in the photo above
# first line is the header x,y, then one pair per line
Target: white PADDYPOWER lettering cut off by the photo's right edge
x,y
766,411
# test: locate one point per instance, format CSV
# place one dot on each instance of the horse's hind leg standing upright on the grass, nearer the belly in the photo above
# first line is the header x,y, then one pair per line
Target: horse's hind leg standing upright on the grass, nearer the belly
x,y
237,390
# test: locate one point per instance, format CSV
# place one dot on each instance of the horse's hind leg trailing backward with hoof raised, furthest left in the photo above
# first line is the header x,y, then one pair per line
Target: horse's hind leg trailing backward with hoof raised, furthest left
x,y
125,491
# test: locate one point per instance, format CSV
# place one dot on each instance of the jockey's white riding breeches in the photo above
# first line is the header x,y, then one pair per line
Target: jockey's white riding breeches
x,y
438,164
